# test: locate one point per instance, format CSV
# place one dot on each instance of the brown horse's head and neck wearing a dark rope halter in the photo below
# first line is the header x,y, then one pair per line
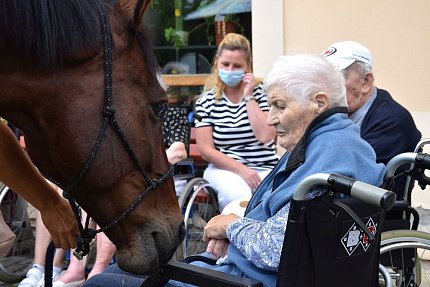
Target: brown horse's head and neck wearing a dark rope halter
x,y
54,81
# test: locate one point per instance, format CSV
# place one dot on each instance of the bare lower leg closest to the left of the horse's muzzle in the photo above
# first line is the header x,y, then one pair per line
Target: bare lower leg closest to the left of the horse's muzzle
x,y
105,251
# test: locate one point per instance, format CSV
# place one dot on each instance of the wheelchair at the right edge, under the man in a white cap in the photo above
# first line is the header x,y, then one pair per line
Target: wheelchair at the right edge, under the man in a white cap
x,y
403,247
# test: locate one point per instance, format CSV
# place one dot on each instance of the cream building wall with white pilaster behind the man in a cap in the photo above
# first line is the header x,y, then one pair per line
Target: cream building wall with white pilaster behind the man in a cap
x,y
397,32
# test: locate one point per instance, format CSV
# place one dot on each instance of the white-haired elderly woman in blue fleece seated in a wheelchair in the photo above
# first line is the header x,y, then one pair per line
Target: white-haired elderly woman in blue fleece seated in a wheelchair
x,y
308,110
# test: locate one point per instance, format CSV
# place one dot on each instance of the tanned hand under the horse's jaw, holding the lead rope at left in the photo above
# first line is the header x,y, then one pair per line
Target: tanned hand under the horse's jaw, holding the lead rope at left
x,y
60,221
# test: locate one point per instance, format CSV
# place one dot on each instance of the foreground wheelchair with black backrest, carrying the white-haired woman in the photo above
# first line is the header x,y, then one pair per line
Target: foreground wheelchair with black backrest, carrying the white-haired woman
x,y
332,240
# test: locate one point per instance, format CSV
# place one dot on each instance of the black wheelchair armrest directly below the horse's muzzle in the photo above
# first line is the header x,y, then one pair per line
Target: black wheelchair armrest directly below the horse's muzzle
x,y
200,276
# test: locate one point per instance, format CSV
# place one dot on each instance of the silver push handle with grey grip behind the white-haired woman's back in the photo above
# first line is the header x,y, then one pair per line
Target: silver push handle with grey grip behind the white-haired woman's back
x,y
365,192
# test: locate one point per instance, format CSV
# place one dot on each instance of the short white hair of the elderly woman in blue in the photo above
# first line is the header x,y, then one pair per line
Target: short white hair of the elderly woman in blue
x,y
303,76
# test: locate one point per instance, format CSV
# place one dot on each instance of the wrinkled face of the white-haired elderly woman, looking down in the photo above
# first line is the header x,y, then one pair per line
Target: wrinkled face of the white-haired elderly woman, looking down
x,y
289,117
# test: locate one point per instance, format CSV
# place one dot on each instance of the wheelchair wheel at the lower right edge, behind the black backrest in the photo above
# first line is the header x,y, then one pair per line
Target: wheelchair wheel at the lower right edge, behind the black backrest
x,y
402,252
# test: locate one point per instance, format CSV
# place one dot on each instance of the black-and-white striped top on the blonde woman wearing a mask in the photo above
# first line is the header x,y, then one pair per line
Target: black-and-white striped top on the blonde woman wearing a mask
x,y
232,132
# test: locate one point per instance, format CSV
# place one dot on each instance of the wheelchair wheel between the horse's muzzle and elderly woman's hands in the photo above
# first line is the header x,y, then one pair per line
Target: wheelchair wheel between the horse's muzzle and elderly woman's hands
x,y
198,203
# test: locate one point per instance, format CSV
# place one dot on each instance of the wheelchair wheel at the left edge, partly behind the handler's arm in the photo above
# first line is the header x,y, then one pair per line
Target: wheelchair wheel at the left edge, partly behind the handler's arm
x,y
17,214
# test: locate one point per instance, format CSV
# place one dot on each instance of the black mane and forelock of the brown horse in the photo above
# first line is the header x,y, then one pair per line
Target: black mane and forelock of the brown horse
x,y
47,30
